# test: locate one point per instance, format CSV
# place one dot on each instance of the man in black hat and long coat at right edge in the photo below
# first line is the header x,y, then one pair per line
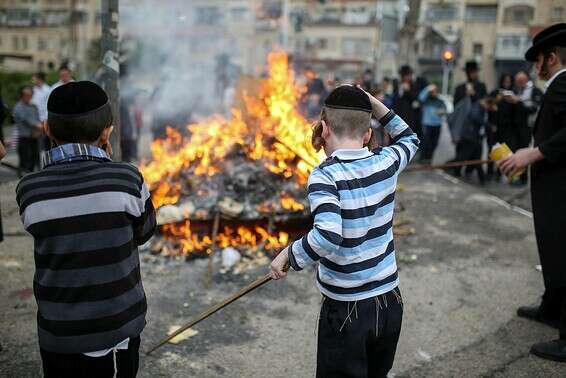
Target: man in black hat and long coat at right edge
x,y
547,159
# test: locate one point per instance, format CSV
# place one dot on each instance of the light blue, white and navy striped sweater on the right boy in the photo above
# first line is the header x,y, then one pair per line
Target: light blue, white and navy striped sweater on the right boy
x,y
352,199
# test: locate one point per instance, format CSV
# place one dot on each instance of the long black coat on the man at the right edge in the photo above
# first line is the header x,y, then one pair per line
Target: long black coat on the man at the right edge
x,y
548,184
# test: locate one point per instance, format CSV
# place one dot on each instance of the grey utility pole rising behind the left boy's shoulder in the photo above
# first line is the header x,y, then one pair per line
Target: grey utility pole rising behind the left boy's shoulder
x,y
111,68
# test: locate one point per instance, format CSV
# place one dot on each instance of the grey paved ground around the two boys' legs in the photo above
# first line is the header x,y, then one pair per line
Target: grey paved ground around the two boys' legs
x,y
470,264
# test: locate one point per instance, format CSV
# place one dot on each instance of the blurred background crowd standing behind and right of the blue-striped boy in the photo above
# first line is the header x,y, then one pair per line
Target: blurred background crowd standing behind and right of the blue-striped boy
x,y
480,119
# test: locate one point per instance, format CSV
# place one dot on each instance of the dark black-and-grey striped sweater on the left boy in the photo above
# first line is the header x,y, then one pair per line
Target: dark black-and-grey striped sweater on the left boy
x,y
87,216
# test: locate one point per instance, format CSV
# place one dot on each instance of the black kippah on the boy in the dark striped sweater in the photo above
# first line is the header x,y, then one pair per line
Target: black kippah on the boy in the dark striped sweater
x,y
76,98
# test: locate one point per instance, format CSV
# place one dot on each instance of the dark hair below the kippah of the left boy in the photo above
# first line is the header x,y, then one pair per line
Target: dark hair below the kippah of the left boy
x,y
83,128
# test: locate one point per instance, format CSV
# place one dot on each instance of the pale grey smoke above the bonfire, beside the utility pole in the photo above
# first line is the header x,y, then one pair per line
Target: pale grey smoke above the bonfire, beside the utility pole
x,y
178,55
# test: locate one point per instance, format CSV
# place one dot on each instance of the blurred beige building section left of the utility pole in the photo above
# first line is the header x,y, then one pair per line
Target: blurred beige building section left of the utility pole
x,y
43,34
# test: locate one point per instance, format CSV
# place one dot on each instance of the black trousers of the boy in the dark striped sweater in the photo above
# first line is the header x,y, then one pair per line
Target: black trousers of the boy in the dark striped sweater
x,y
56,365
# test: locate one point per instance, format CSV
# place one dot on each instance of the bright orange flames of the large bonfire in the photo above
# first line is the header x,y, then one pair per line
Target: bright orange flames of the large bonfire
x,y
268,129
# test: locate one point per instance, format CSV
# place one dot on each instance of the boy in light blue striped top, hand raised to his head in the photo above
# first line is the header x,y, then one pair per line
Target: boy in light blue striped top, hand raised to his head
x,y
351,195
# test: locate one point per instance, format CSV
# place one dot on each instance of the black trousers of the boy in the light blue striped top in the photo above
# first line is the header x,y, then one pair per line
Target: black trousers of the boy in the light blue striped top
x,y
359,339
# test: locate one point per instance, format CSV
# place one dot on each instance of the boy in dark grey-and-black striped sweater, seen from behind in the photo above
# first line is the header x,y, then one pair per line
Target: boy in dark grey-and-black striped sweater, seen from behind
x,y
87,215
